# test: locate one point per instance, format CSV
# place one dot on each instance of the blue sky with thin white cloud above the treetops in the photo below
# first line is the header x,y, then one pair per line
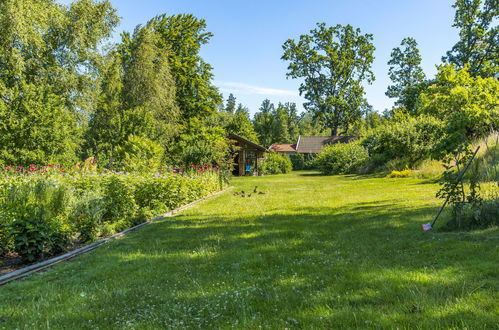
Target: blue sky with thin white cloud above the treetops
x,y
248,36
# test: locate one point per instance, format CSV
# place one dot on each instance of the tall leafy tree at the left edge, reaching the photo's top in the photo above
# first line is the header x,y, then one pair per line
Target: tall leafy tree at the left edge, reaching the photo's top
x,y
49,68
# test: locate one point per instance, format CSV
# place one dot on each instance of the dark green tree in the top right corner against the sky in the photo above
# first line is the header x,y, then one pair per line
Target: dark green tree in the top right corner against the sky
x,y
478,43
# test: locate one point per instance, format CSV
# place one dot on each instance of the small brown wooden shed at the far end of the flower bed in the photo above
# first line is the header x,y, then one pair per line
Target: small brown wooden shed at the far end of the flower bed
x,y
248,156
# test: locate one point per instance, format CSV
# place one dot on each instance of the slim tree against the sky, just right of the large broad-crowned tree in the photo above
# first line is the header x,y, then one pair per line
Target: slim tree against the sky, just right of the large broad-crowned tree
x,y
406,74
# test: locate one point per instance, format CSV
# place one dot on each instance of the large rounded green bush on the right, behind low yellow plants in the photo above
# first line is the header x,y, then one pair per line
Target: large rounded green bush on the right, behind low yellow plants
x,y
408,139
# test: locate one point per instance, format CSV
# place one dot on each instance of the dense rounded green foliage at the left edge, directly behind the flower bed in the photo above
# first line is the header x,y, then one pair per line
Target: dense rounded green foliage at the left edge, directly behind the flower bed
x,y
37,127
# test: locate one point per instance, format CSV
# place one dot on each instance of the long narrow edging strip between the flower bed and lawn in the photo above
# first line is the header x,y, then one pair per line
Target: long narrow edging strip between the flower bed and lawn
x,y
20,273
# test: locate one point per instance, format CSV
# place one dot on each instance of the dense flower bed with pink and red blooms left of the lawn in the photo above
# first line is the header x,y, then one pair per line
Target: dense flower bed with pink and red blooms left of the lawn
x,y
47,210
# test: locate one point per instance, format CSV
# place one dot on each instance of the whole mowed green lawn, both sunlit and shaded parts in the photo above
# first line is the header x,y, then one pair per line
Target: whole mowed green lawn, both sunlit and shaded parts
x,y
312,252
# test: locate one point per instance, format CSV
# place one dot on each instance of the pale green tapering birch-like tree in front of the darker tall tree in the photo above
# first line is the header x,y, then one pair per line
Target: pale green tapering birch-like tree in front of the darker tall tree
x,y
138,97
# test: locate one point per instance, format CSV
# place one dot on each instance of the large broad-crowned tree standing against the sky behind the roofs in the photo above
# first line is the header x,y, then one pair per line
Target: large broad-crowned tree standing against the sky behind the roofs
x,y
334,62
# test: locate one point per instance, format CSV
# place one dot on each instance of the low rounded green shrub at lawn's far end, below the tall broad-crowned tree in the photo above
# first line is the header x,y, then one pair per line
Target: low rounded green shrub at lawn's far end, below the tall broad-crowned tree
x,y
342,158
